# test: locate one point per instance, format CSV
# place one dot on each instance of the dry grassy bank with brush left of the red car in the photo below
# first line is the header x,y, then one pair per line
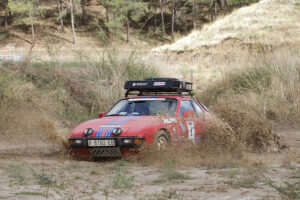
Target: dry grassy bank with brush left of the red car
x,y
39,109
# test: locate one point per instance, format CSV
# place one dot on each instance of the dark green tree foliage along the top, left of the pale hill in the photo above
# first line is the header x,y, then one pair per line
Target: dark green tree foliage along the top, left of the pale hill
x,y
142,16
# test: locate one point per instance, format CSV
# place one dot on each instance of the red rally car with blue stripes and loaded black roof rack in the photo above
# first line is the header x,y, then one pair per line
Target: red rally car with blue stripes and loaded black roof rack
x,y
163,112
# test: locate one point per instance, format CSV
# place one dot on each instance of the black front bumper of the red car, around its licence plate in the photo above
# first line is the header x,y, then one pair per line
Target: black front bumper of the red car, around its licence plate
x,y
121,142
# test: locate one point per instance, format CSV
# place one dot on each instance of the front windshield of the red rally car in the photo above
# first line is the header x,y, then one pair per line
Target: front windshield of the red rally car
x,y
144,106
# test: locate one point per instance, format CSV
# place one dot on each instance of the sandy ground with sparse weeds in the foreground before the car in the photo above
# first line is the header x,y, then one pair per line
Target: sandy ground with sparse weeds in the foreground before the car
x,y
47,176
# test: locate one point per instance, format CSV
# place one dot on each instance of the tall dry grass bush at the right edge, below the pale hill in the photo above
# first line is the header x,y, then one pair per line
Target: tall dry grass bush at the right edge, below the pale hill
x,y
271,87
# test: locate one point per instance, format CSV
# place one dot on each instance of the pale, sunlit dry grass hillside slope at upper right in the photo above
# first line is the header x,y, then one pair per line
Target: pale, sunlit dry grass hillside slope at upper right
x,y
269,22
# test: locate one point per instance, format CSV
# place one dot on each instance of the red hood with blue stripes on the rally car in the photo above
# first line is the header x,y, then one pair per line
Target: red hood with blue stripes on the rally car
x,y
104,126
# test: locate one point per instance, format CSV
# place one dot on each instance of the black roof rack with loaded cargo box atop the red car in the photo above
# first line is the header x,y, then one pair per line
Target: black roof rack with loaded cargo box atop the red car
x,y
159,86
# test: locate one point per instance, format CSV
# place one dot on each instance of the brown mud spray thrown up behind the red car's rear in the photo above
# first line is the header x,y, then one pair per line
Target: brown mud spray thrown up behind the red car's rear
x,y
253,132
